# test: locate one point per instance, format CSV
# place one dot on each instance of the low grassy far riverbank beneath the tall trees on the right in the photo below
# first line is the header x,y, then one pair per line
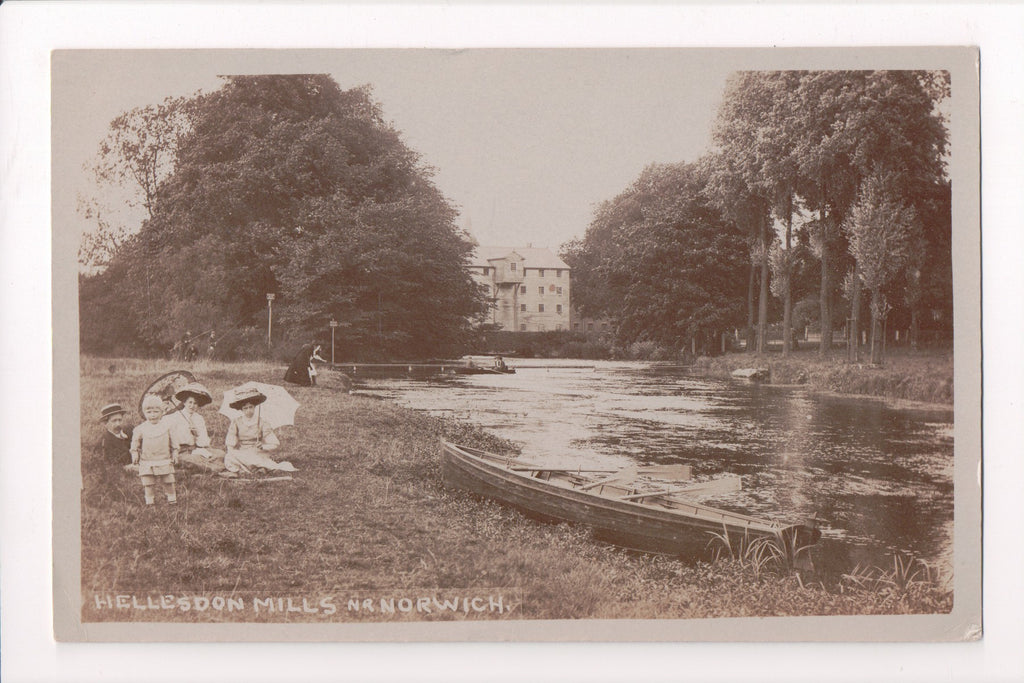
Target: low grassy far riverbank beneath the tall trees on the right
x,y
918,376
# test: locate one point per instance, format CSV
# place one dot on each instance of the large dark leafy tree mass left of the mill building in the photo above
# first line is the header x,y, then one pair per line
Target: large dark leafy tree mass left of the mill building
x,y
283,185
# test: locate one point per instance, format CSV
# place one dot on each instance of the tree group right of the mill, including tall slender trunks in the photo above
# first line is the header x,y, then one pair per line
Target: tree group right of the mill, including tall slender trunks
x,y
821,184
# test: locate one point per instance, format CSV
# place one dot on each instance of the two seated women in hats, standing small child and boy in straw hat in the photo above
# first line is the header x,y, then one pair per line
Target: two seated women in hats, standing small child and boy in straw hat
x,y
180,437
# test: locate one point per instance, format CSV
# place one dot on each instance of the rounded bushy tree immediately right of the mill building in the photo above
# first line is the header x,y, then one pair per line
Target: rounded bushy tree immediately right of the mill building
x,y
669,261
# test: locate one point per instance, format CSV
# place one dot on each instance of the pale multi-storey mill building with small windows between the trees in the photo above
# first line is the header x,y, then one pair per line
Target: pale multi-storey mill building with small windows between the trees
x,y
529,288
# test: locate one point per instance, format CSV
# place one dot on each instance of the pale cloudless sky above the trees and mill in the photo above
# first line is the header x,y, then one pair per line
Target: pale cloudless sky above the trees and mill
x,y
525,143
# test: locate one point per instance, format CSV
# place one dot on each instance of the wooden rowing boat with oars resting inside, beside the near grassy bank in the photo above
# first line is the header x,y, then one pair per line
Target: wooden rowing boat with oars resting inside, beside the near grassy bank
x,y
662,521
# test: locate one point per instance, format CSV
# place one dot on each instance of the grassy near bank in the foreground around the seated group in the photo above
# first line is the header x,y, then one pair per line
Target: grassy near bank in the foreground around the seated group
x,y
367,516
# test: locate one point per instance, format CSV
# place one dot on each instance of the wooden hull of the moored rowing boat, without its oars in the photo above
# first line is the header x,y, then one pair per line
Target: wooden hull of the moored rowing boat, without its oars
x,y
686,530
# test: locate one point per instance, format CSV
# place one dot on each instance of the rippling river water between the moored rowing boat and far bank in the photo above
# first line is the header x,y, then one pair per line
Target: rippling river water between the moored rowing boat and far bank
x,y
879,477
